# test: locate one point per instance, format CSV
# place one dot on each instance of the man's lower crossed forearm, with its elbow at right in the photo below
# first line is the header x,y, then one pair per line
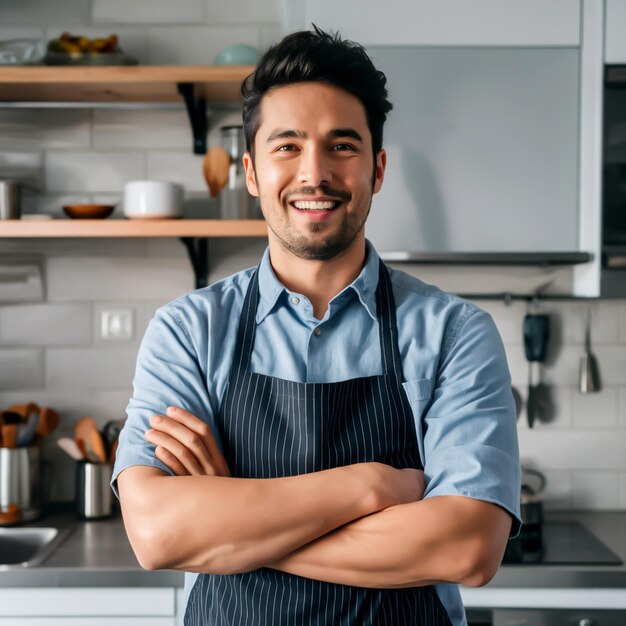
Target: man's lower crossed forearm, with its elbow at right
x,y
441,539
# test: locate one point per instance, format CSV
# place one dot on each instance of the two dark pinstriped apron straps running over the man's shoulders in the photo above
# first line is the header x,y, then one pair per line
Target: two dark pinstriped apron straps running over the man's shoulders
x,y
386,313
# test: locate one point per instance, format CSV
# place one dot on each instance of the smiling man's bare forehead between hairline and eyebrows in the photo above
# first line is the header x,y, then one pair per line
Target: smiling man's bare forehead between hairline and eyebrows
x,y
315,108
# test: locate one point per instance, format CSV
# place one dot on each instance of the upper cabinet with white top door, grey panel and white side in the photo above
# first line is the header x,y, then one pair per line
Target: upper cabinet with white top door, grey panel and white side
x,y
494,140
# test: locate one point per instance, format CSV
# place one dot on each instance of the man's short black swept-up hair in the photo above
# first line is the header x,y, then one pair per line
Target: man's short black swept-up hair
x,y
317,56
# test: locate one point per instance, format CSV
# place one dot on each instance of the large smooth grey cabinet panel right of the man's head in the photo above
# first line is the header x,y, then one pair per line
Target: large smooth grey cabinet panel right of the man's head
x,y
482,149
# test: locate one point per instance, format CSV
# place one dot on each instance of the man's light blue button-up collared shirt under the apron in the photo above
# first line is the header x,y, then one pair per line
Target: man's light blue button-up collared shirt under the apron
x,y
455,371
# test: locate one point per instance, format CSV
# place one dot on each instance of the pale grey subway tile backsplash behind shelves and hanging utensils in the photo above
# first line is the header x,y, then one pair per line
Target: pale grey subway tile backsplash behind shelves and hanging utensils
x,y
52,352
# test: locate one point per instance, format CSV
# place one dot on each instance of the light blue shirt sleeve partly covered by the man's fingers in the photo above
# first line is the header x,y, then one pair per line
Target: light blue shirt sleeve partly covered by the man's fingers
x,y
167,373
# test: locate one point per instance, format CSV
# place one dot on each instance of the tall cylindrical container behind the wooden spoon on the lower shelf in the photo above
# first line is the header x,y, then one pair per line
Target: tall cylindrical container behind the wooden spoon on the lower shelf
x,y
235,200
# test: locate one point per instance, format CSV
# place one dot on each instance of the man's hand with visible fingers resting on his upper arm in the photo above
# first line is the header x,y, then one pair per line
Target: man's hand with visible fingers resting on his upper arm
x,y
186,444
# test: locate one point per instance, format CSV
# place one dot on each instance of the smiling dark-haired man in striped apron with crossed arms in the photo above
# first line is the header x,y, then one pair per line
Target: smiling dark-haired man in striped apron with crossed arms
x,y
312,393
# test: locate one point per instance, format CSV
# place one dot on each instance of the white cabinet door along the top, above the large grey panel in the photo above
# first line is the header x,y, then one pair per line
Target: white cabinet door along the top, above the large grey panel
x,y
451,22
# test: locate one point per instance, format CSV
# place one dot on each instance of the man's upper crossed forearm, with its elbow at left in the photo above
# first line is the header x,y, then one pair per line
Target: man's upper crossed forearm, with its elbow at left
x,y
215,524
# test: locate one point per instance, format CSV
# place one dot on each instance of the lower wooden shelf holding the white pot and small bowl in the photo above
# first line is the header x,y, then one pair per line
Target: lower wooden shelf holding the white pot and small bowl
x,y
132,228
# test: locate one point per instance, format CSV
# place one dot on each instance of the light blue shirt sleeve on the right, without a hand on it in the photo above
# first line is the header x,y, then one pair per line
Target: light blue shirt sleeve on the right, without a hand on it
x,y
469,427
